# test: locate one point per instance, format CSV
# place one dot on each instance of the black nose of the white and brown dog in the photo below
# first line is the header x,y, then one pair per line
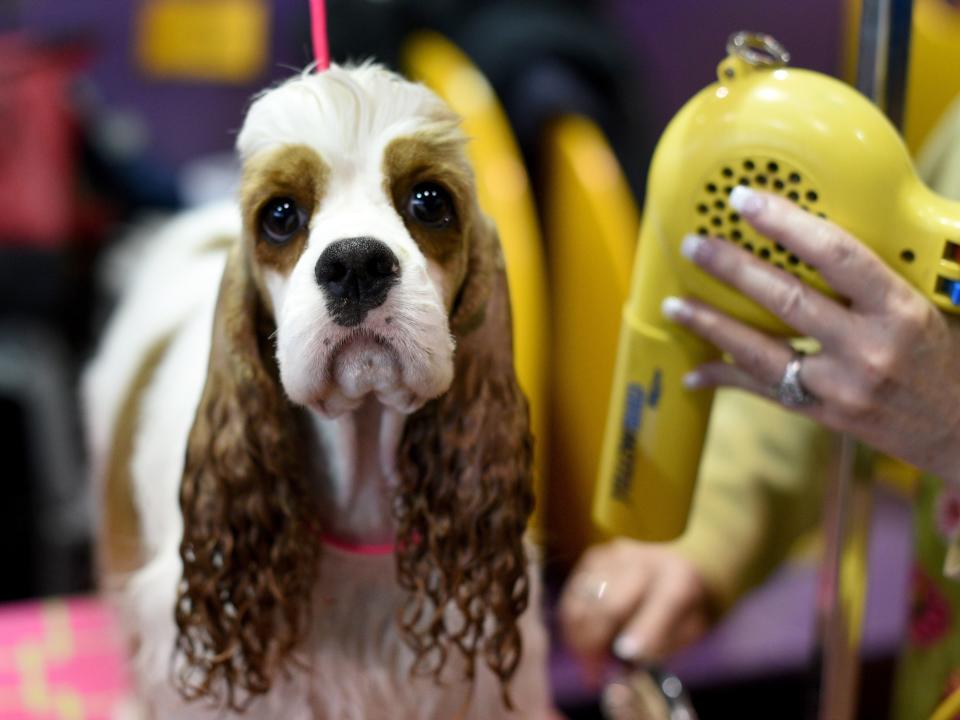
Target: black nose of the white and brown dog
x,y
356,274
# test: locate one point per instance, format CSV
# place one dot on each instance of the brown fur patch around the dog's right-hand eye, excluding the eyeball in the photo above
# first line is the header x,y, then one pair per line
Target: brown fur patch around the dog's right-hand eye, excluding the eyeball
x,y
413,159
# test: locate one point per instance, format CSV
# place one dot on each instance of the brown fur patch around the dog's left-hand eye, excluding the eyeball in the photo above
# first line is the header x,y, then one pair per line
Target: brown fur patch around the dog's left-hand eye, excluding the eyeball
x,y
294,171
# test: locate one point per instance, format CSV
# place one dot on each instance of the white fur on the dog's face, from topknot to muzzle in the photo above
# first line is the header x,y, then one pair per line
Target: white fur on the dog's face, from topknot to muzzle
x,y
354,114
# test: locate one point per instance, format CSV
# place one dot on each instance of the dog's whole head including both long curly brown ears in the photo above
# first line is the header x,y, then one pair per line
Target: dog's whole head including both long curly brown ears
x,y
366,267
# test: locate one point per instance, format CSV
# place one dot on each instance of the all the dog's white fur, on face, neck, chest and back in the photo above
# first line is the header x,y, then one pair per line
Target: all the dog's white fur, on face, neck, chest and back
x,y
358,393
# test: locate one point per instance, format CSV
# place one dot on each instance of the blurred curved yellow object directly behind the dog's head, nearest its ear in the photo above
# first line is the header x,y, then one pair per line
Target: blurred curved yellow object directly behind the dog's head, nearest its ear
x,y
504,194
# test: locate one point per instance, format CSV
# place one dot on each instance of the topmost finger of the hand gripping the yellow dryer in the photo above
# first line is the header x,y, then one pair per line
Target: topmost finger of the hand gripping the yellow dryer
x,y
848,266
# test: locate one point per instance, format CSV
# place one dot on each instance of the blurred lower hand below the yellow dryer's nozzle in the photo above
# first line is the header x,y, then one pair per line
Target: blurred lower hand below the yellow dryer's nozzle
x,y
643,601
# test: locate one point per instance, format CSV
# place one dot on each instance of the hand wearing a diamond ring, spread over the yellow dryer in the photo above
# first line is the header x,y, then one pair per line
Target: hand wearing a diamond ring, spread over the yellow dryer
x,y
889,368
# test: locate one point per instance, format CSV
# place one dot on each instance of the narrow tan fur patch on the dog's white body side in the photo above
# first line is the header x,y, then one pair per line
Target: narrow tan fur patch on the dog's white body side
x,y
119,549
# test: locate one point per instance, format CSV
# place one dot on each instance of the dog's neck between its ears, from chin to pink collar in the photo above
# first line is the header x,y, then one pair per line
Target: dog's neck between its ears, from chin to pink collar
x,y
359,476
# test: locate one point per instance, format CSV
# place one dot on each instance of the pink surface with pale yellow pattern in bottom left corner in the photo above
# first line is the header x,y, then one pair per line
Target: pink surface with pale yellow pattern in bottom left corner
x,y
60,660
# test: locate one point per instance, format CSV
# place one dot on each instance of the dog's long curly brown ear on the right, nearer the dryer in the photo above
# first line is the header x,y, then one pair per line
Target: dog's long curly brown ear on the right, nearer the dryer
x,y
465,496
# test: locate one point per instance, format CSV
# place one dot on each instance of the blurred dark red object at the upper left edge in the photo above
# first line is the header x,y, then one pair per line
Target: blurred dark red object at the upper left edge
x,y
37,144
